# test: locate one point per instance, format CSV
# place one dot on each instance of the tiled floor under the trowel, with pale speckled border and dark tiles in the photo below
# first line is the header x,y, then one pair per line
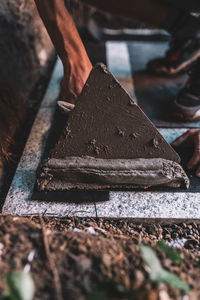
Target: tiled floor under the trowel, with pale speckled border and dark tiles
x,y
154,95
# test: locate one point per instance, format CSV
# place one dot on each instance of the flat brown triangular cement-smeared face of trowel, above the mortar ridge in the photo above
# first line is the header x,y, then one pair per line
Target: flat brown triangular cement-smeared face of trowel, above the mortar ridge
x,y
107,123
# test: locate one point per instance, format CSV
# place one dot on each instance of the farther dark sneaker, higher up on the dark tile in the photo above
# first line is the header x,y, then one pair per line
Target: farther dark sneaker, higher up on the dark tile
x,y
178,59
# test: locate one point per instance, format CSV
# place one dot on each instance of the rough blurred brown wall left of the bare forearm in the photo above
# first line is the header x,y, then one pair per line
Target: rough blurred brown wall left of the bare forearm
x,y
24,51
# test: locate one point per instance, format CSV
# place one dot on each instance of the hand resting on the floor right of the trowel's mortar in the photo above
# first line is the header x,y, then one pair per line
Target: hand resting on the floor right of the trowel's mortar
x,y
193,136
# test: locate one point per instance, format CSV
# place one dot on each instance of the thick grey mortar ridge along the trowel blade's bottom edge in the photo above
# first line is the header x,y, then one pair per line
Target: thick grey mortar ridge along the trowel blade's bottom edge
x,y
96,173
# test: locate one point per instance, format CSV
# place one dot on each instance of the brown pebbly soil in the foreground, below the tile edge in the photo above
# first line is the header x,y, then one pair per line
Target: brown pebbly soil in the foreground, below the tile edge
x,y
102,261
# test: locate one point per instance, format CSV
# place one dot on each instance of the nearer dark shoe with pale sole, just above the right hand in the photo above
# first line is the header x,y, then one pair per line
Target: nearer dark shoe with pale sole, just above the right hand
x,y
187,103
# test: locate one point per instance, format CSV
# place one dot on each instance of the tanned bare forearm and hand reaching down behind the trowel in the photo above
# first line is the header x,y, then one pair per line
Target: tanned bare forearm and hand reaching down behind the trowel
x,y
68,44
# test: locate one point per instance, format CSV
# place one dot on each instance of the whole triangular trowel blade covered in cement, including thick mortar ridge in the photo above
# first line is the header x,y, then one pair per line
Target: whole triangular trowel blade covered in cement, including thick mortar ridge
x,y
107,125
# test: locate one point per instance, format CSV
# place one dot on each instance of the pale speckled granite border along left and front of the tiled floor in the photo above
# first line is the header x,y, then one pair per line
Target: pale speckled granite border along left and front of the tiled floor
x,y
138,205
